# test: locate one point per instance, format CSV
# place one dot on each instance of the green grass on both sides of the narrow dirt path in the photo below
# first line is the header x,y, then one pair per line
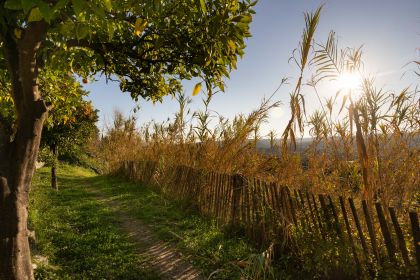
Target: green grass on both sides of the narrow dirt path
x,y
79,236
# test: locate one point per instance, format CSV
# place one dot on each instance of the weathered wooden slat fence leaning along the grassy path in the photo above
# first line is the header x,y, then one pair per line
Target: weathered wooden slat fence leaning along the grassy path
x,y
369,233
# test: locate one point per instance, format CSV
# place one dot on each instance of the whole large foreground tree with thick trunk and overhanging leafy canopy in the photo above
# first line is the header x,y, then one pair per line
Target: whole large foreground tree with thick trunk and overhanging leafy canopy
x,y
147,45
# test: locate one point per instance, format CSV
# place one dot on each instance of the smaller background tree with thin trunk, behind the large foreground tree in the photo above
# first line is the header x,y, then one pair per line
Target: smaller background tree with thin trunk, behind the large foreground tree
x,y
70,122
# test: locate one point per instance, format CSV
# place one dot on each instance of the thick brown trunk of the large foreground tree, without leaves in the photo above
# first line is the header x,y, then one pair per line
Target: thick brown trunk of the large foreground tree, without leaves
x,y
18,152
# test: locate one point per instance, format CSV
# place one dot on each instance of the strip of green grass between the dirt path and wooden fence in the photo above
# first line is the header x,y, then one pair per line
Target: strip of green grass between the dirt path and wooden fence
x,y
210,249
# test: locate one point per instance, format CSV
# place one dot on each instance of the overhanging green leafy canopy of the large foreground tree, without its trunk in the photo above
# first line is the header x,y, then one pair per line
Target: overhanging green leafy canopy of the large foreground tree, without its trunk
x,y
148,45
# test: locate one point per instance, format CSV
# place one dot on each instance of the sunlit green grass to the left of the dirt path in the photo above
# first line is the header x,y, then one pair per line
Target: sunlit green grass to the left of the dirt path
x,y
77,234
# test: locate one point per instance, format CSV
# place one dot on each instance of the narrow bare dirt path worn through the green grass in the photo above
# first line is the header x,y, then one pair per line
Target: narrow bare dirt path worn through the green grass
x,y
164,257
